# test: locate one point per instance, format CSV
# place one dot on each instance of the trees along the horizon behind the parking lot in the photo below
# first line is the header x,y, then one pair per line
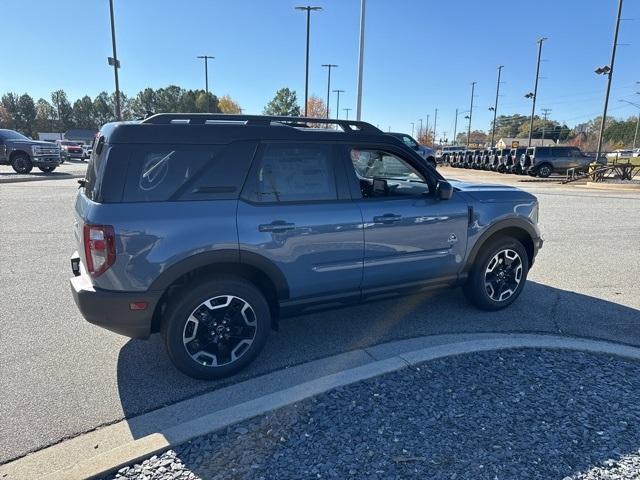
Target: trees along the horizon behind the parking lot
x,y
58,114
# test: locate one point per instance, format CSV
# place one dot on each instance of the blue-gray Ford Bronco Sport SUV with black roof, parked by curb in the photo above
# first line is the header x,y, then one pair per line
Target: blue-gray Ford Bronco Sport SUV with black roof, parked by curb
x,y
208,228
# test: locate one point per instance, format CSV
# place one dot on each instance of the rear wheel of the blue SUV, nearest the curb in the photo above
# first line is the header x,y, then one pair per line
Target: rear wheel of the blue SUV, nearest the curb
x,y
227,296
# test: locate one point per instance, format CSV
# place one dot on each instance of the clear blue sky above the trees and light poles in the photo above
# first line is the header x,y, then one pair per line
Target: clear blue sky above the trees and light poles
x,y
420,54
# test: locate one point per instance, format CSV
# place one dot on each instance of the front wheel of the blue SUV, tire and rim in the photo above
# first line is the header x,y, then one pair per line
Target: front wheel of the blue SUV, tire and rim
x,y
485,286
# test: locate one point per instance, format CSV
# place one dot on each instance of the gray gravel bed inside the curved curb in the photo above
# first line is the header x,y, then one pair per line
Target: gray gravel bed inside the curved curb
x,y
512,414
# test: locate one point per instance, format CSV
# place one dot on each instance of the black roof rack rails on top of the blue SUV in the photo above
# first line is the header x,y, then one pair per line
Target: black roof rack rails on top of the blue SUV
x,y
350,126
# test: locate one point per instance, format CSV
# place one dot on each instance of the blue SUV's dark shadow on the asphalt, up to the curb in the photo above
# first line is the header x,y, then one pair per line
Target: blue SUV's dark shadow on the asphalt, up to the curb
x,y
148,381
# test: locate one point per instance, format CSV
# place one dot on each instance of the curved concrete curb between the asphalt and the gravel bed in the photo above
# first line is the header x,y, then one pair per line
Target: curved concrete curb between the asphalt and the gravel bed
x,y
60,461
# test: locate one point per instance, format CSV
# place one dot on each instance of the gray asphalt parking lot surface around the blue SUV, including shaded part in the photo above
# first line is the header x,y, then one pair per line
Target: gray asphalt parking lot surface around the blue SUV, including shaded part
x,y
62,376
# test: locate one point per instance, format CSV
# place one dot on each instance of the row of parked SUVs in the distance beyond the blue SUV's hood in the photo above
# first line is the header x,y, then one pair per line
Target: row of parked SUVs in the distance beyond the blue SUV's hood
x,y
534,161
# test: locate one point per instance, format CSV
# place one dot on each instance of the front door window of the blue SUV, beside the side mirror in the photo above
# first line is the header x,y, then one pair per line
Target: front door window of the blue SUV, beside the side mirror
x,y
383,174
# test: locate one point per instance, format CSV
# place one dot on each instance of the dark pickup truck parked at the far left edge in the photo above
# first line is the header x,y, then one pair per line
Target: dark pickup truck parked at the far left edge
x,y
23,154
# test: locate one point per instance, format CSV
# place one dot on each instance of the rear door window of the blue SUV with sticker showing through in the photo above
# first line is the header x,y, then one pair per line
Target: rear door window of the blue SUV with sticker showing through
x,y
296,173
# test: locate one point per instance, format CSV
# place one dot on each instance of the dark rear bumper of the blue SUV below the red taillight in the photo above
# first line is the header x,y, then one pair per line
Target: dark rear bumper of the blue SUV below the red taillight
x,y
111,309
